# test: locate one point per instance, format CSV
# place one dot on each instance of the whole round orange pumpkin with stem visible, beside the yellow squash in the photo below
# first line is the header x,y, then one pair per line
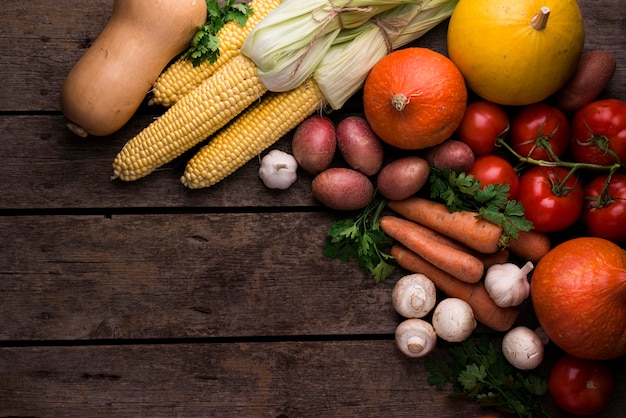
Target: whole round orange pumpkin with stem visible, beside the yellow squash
x,y
414,98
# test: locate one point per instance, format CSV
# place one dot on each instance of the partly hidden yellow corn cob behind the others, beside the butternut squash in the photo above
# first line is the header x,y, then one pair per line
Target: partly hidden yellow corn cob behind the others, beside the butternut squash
x,y
181,76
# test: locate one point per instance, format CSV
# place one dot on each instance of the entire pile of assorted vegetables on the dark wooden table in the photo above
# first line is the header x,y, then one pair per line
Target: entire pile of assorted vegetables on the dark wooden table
x,y
468,198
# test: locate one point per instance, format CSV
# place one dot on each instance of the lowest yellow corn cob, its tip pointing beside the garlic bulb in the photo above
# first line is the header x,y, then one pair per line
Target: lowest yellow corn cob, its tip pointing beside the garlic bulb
x,y
253,131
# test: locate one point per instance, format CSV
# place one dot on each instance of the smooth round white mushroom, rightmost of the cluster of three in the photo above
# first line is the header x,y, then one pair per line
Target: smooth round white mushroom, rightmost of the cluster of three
x,y
454,320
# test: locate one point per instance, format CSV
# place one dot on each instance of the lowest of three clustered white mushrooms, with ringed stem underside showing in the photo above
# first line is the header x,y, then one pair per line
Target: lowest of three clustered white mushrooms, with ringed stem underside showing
x,y
415,337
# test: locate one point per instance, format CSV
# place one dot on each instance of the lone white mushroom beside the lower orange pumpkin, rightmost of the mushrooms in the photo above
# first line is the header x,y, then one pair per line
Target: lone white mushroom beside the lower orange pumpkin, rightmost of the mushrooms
x,y
523,348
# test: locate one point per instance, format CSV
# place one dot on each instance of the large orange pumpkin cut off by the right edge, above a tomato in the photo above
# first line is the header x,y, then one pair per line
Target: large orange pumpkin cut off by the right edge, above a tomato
x,y
578,290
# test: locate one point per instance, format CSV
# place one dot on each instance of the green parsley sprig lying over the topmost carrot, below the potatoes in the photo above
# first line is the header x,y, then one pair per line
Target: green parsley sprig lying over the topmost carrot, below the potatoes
x,y
462,191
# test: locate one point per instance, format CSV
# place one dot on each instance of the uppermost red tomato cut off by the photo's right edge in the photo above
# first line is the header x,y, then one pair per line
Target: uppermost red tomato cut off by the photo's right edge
x,y
599,132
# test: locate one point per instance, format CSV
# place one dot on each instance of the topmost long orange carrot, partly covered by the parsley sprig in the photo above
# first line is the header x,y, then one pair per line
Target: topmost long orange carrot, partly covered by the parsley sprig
x,y
465,227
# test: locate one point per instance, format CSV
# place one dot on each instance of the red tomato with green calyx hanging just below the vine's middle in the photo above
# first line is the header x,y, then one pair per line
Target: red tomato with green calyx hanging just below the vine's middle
x,y
548,203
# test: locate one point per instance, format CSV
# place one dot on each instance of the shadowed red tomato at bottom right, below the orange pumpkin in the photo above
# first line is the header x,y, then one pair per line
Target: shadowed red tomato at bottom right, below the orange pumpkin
x,y
580,387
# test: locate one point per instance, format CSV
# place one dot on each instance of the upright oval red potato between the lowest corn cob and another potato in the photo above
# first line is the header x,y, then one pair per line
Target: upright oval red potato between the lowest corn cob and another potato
x,y
314,144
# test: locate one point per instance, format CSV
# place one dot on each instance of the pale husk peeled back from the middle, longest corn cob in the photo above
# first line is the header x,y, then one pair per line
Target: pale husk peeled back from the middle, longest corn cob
x,y
288,44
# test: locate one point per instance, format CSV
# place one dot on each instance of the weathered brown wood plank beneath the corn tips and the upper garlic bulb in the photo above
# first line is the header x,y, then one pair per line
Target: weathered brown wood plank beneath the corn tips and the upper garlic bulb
x,y
47,167
